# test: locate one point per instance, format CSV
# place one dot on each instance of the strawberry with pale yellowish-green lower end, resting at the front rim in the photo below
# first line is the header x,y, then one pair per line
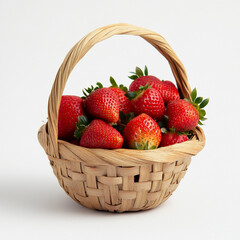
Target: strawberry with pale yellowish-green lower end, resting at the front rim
x,y
142,132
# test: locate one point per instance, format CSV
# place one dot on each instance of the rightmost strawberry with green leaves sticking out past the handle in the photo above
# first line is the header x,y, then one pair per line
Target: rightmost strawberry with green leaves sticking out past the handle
x,y
185,115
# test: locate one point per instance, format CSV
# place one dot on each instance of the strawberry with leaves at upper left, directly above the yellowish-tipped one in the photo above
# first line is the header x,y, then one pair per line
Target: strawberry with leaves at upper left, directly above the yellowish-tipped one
x,y
147,100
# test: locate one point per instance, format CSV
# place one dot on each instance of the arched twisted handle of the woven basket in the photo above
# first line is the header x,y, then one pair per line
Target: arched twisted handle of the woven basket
x,y
83,46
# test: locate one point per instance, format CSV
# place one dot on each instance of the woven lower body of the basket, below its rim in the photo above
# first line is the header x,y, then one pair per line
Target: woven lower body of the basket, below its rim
x,y
119,188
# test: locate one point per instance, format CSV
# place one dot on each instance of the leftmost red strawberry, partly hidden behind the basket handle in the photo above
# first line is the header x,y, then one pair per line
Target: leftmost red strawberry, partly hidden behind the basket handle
x,y
71,107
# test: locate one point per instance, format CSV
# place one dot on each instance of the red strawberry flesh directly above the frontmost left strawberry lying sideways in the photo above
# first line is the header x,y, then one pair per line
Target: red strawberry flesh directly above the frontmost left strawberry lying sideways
x,y
104,104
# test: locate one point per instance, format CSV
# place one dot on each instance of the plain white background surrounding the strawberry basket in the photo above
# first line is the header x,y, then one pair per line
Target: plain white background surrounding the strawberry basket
x,y
35,36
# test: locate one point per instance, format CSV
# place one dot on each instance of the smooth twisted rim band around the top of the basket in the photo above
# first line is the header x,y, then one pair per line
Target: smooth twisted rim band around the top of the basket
x,y
117,157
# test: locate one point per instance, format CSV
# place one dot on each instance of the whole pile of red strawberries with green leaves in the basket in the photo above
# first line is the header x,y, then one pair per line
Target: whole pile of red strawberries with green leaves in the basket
x,y
147,116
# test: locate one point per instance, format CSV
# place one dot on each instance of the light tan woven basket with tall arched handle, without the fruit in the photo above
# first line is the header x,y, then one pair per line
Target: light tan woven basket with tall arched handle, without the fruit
x,y
117,180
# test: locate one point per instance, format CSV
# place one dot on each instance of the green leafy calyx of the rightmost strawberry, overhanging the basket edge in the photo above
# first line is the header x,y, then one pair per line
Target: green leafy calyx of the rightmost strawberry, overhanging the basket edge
x,y
199,103
